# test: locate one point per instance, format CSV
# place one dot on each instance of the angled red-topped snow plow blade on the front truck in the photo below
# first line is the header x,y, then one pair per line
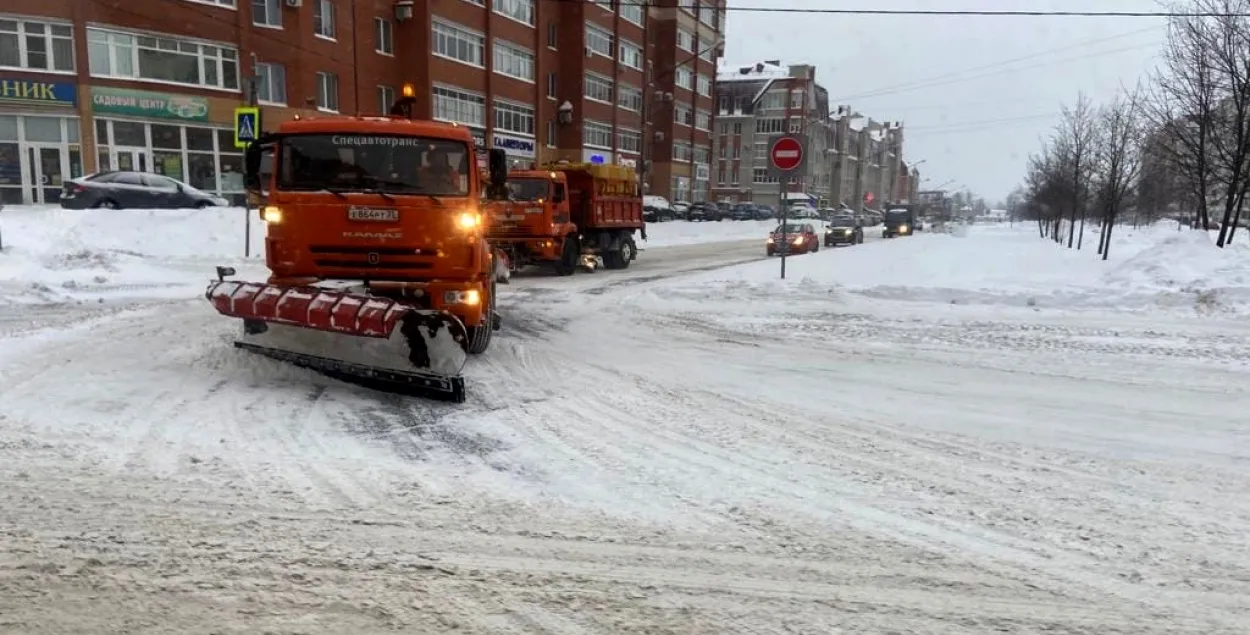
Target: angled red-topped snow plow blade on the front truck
x,y
364,339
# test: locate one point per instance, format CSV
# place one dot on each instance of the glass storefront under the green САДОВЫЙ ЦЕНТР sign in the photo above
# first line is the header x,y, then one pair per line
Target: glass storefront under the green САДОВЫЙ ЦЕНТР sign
x,y
167,134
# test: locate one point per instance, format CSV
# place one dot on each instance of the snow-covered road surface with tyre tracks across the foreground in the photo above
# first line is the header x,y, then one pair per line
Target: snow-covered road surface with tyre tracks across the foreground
x,y
643,452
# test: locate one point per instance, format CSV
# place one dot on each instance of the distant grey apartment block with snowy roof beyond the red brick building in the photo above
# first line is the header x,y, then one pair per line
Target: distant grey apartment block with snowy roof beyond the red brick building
x,y
853,161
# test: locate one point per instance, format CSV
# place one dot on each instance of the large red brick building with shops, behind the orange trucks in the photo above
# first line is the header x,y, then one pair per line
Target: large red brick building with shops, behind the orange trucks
x,y
88,86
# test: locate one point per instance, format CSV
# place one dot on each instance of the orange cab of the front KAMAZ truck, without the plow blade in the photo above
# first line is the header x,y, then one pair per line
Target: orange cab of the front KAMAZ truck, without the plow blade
x,y
392,203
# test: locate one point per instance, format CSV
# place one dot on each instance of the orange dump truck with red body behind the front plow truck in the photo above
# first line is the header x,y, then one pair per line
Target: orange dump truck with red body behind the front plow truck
x,y
568,217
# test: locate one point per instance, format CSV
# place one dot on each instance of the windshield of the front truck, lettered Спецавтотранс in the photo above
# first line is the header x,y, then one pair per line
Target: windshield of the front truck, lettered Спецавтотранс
x,y
388,163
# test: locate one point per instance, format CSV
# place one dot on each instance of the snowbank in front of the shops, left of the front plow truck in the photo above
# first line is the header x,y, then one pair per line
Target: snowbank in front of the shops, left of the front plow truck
x,y
54,256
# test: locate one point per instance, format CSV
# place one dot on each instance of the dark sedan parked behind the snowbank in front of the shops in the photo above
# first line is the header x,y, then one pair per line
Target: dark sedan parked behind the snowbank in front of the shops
x,y
128,189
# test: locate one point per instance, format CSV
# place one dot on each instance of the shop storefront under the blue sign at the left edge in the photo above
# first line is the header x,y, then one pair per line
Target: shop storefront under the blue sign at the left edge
x,y
39,139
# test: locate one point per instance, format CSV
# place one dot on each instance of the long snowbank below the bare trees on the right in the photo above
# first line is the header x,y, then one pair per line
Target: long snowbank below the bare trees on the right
x,y
1149,268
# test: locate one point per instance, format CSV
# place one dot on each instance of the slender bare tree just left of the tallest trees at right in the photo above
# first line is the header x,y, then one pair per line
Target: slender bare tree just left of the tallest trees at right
x,y
1117,162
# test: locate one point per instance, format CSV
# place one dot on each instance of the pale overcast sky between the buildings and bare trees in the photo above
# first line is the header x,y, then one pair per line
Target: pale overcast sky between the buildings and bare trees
x,y
976,93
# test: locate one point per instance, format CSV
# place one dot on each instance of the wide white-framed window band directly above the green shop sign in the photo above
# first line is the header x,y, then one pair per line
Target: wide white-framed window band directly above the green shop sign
x,y
174,61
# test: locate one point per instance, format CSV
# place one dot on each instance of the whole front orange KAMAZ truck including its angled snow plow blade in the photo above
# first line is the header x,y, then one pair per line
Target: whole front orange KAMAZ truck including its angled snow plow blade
x,y
381,271
